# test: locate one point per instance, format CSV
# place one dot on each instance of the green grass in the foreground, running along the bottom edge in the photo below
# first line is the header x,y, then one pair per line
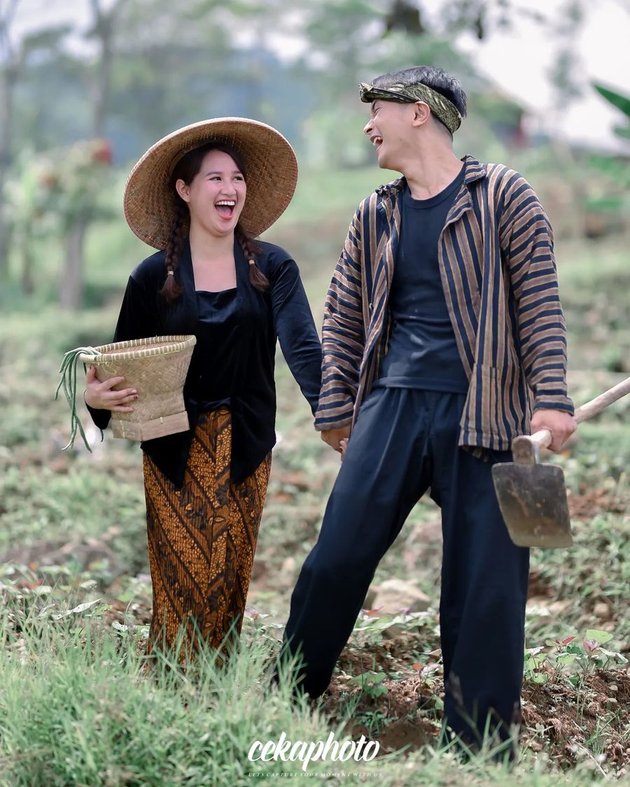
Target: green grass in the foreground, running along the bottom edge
x,y
77,707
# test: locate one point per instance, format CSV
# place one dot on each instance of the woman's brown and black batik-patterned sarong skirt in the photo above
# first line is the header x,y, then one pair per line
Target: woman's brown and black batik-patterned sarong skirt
x,y
202,540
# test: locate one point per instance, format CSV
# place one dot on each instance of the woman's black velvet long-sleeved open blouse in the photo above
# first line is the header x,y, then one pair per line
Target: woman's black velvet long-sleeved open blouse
x,y
282,313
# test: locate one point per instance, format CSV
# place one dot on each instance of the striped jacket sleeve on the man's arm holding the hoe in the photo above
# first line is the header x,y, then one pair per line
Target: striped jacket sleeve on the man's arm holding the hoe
x,y
528,249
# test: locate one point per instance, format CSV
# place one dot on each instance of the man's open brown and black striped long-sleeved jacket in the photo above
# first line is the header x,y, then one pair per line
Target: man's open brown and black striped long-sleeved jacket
x,y
500,282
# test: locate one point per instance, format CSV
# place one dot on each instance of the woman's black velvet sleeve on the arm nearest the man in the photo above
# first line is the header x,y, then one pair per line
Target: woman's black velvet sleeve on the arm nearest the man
x,y
295,329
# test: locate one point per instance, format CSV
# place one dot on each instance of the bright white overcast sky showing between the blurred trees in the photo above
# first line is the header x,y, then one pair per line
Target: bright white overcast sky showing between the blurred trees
x,y
518,61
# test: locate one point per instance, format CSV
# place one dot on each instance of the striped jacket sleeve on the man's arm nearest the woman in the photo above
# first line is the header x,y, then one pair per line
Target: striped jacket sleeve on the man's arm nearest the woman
x,y
343,334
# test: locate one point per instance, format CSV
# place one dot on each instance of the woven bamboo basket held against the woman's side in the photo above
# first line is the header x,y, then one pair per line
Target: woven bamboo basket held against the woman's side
x,y
156,367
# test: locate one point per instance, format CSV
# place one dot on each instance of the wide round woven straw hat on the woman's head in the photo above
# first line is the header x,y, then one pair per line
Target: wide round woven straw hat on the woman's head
x,y
270,164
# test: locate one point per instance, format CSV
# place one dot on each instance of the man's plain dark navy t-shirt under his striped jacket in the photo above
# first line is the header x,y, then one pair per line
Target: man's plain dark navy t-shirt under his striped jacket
x,y
422,351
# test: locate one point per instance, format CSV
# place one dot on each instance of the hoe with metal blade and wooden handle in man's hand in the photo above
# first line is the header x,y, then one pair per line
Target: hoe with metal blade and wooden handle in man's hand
x,y
532,496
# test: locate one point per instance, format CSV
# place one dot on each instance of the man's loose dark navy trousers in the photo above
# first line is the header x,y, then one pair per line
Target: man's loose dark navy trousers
x,y
404,443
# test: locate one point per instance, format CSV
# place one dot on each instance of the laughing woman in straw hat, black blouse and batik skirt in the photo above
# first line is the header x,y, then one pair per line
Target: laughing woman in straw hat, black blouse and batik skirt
x,y
201,195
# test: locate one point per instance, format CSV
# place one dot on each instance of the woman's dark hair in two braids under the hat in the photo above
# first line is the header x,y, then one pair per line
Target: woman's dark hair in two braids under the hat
x,y
186,169
